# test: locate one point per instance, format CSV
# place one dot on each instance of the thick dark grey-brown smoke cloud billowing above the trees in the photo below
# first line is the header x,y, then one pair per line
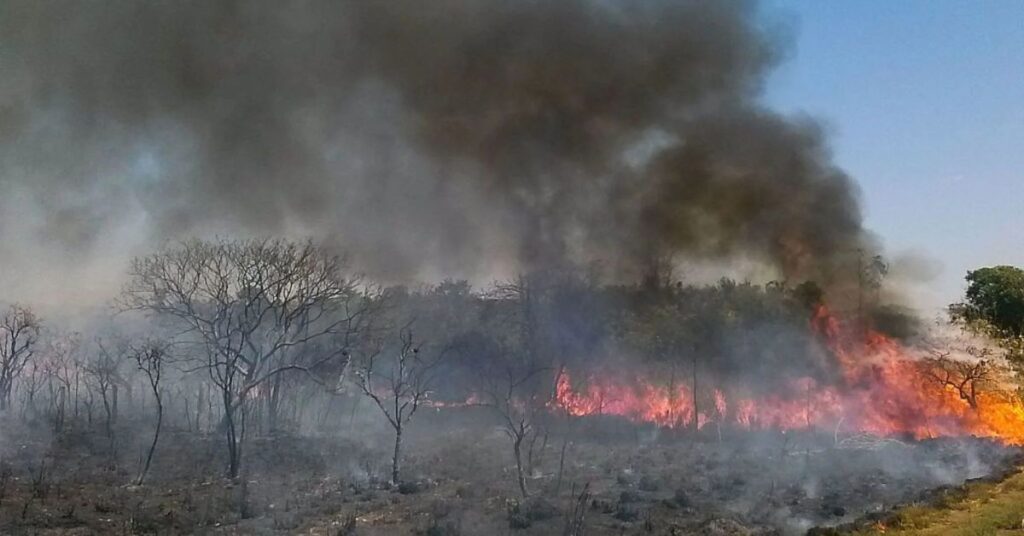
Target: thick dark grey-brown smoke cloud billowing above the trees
x,y
448,138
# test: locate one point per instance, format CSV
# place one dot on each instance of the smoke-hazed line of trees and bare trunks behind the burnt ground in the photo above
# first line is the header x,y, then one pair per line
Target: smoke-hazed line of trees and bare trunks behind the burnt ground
x,y
251,338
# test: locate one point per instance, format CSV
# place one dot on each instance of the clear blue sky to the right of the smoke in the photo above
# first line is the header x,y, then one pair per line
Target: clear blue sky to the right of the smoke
x,y
925,101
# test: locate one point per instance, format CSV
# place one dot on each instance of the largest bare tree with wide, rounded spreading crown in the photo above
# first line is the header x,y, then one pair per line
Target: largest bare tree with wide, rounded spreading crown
x,y
253,309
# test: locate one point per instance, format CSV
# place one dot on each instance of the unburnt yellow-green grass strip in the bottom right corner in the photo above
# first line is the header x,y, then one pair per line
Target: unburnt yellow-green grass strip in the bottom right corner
x,y
977,510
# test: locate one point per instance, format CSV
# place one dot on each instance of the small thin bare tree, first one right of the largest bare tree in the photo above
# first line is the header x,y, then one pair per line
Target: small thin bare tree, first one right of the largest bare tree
x,y
399,381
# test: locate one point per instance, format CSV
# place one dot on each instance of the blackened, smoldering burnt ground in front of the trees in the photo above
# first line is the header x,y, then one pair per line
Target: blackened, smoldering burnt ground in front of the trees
x,y
627,480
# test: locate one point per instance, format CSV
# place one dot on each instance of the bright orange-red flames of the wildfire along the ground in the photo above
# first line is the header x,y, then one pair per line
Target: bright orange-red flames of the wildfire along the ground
x,y
884,391
